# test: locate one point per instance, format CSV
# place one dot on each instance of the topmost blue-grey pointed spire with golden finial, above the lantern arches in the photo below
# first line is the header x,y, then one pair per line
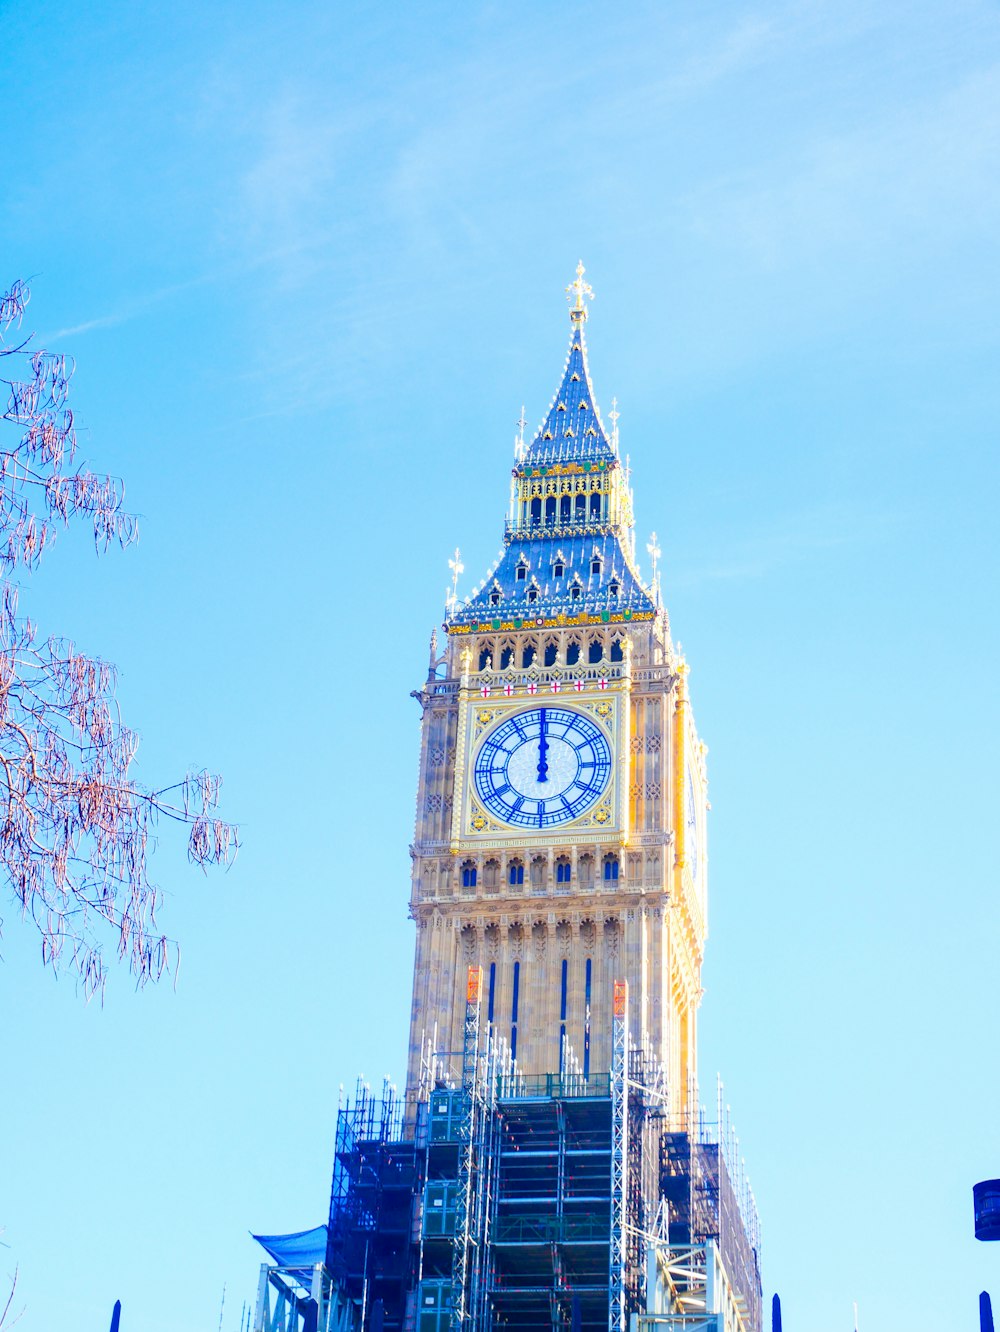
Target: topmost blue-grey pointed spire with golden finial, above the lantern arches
x,y
573,431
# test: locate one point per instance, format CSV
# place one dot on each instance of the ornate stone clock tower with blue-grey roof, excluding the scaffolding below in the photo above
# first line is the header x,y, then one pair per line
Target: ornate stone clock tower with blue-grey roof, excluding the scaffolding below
x,y
560,838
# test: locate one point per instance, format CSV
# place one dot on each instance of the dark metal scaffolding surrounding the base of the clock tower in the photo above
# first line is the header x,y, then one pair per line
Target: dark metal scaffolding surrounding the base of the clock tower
x,y
540,1203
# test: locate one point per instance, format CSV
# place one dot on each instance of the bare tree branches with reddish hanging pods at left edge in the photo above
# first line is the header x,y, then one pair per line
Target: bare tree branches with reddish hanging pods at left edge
x,y
75,828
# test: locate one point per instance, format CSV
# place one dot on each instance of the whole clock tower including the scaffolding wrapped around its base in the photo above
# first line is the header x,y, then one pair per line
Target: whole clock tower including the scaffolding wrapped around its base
x,y
548,1164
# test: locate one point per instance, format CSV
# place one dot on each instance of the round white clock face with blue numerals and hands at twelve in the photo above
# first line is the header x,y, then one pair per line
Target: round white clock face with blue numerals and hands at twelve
x,y
543,768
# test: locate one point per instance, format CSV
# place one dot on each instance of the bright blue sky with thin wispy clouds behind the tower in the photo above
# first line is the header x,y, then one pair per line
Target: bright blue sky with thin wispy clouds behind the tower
x,y
311,263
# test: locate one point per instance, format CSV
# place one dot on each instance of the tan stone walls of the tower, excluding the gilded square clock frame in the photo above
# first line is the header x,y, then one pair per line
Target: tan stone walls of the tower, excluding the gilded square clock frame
x,y
640,926
